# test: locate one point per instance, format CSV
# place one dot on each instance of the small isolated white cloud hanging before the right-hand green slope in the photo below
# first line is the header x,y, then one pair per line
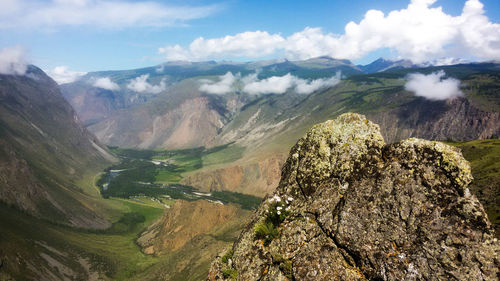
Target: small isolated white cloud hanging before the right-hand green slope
x,y
433,86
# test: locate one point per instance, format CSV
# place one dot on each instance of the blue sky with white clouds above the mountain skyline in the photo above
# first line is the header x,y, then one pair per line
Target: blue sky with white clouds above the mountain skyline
x,y
70,37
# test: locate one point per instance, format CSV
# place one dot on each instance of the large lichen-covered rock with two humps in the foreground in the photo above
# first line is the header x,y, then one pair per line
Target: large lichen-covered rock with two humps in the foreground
x,y
350,207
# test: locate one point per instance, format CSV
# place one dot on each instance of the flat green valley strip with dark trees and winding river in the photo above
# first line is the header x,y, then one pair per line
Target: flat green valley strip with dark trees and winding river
x,y
156,174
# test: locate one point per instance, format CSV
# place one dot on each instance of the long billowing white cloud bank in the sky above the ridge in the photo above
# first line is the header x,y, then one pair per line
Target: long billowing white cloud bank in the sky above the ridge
x,y
419,32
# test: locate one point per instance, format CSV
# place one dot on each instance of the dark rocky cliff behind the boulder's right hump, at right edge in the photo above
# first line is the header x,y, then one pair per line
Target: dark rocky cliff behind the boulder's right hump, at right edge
x,y
454,119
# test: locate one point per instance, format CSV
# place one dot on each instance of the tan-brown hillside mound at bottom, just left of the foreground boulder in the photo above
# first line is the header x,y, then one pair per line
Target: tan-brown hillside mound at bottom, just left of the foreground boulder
x,y
188,237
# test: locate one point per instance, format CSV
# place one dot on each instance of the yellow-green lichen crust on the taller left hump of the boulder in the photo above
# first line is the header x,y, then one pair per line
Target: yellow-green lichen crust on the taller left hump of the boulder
x,y
335,148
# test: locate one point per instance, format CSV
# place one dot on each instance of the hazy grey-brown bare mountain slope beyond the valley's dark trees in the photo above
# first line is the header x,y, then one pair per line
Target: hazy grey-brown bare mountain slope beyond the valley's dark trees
x,y
179,118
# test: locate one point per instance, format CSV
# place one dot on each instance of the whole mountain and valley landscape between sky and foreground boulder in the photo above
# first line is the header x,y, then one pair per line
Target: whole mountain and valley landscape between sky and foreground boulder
x,y
207,127
